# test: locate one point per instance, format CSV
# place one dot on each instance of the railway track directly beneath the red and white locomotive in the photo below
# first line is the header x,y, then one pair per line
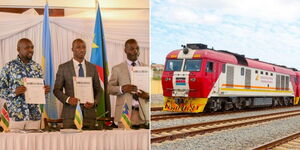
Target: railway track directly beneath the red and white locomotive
x,y
159,117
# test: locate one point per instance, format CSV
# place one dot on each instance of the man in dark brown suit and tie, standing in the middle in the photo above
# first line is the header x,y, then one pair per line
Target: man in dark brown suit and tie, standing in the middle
x,y
64,89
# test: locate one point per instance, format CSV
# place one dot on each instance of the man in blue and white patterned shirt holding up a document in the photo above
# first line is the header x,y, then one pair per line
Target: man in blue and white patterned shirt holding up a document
x,y
12,89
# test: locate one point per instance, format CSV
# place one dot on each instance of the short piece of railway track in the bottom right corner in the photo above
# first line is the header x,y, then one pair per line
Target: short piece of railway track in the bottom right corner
x,y
286,143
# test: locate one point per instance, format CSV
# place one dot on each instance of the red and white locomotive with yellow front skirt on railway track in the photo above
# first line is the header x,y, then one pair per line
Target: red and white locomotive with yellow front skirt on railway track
x,y
196,78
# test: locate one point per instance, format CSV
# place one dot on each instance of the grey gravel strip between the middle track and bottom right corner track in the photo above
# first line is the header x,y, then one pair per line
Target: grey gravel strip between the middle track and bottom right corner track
x,y
237,138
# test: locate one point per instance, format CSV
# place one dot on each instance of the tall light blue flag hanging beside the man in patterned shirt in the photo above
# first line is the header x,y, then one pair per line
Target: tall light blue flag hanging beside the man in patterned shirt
x,y
50,107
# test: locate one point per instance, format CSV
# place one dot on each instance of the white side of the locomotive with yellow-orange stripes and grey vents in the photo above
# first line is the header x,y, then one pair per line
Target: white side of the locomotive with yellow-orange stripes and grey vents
x,y
242,81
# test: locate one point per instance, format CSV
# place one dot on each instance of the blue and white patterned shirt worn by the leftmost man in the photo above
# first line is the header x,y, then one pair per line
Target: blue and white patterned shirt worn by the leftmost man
x,y
11,77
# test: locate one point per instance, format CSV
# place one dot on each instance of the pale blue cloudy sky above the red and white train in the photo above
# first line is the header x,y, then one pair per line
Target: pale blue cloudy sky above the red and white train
x,y
268,30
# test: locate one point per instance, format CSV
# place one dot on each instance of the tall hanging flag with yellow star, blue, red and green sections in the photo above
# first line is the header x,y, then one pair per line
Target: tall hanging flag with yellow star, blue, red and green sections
x,y
99,58
